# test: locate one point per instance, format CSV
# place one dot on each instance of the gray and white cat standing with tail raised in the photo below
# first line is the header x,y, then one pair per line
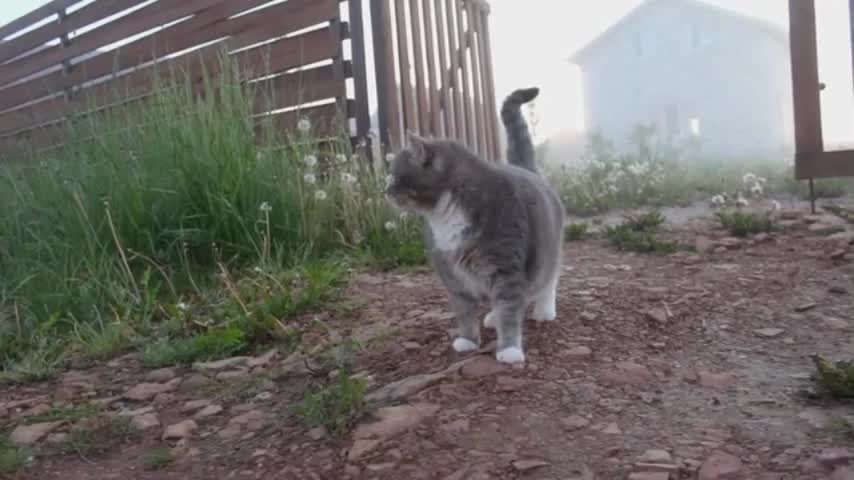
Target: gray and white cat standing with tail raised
x,y
493,232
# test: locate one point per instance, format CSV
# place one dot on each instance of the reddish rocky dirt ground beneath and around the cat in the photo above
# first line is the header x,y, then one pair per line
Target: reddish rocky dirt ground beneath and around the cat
x,y
692,365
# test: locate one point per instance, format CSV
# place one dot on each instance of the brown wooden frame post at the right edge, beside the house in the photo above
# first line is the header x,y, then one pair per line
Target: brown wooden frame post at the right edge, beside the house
x,y
811,159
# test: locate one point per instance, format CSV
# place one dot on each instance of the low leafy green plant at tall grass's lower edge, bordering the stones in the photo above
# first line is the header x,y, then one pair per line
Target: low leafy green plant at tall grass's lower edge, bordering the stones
x,y
211,345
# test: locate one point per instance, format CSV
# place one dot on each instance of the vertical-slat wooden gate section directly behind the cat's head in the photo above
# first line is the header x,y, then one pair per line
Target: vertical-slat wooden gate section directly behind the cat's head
x,y
433,58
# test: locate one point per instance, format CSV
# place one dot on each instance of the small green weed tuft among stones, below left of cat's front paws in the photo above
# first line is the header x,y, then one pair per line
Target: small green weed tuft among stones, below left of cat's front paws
x,y
337,407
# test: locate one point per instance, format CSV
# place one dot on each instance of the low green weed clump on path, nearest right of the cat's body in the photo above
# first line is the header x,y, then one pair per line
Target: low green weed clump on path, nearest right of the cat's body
x,y
637,233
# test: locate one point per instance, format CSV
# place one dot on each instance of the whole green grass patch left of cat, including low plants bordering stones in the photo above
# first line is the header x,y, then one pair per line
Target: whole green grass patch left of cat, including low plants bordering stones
x,y
100,240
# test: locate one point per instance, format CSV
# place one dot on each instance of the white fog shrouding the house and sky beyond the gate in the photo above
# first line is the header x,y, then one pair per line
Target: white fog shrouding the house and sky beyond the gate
x,y
716,80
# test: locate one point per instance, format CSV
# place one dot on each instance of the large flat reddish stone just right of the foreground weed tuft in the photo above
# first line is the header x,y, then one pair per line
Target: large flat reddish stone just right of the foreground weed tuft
x,y
392,421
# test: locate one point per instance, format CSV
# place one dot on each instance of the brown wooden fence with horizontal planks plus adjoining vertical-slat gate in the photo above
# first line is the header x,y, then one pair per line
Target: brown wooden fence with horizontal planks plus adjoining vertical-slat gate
x,y
432,69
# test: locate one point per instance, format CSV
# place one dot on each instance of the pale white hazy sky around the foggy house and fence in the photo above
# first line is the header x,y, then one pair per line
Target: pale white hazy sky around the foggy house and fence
x,y
532,40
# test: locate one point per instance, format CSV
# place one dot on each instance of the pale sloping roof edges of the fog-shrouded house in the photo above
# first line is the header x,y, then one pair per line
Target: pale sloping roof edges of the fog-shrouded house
x,y
592,47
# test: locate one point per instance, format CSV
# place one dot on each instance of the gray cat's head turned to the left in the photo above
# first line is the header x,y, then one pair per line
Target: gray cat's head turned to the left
x,y
421,173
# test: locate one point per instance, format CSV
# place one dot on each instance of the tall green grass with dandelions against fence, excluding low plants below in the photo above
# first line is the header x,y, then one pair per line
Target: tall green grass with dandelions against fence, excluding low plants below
x,y
148,201
